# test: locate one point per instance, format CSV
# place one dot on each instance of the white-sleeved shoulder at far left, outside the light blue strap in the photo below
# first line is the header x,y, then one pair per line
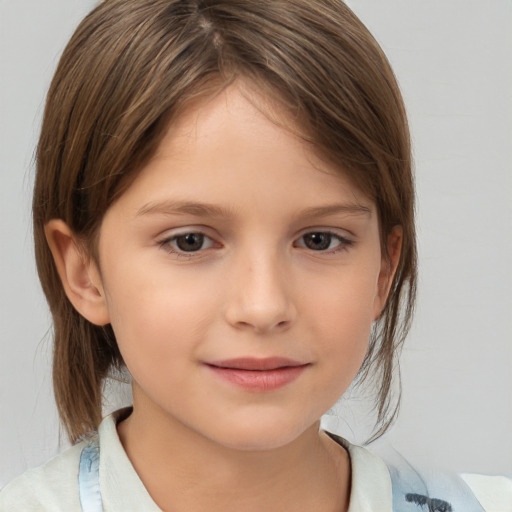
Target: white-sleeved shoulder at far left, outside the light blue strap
x,y
52,486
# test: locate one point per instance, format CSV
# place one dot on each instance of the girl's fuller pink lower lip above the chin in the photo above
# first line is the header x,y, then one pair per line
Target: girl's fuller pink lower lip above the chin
x,y
259,380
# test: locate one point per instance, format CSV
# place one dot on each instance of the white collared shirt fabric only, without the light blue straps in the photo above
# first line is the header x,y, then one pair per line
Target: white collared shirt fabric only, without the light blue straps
x,y
54,486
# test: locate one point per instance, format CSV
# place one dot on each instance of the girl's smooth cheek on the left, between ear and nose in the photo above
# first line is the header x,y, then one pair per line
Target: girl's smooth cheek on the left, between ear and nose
x,y
157,318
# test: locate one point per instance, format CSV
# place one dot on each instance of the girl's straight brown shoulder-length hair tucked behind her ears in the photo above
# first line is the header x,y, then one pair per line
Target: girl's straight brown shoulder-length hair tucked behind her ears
x,y
130,69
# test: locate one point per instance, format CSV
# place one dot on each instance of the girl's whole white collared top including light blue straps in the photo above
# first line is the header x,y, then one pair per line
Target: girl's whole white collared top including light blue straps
x,y
97,476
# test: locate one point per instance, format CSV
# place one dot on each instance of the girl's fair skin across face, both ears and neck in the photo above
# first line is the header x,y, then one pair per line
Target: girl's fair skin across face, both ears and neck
x,y
235,243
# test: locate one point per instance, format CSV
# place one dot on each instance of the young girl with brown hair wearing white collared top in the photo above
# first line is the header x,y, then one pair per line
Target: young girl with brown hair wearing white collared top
x,y
224,206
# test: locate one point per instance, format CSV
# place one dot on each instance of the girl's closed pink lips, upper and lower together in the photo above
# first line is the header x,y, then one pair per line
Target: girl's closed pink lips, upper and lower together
x,y
258,375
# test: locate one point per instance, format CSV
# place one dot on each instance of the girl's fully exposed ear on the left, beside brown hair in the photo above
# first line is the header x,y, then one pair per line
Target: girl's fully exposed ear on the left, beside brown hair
x,y
80,276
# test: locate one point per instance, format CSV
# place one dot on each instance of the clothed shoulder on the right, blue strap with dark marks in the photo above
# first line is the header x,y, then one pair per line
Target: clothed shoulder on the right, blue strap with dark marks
x,y
383,481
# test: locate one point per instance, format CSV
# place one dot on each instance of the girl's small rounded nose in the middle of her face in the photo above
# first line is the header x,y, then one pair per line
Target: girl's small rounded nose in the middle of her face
x,y
261,297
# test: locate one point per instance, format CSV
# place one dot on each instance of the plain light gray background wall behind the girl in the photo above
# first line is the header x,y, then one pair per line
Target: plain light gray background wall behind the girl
x,y
453,61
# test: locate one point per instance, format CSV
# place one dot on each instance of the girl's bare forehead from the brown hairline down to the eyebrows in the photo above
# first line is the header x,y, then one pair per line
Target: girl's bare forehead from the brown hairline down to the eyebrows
x,y
240,138
